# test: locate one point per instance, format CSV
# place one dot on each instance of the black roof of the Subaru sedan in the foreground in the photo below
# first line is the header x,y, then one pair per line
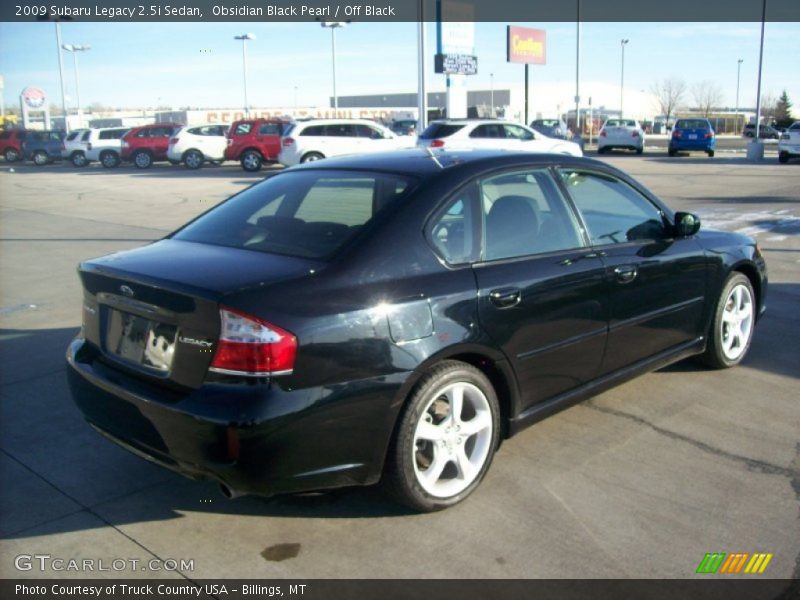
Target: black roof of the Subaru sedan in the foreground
x,y
424,163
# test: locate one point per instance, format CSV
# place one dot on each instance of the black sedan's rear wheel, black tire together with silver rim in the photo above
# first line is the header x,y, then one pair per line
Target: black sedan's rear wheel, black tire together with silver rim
x,y
404,477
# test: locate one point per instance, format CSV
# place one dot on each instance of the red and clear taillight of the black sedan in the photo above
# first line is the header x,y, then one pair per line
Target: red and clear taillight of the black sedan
x,y
253,347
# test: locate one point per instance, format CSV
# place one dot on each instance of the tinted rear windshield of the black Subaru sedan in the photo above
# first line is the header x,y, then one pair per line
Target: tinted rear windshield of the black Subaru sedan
x,y
308,214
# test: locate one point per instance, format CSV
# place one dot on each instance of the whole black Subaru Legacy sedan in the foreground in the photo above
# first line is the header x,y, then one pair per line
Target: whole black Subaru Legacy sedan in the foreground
x,y
392,317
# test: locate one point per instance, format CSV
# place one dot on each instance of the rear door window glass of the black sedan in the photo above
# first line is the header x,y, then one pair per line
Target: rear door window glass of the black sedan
x,y
524,214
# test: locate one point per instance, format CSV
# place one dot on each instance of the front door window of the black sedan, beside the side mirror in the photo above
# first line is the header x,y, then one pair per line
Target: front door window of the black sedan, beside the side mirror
x,y
613,211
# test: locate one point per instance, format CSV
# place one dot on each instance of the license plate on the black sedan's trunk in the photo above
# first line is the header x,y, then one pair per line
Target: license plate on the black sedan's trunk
x,y
141,341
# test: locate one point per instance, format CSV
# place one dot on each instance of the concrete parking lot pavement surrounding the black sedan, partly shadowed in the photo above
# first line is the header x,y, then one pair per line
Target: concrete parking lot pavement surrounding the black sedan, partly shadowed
x,y
641,481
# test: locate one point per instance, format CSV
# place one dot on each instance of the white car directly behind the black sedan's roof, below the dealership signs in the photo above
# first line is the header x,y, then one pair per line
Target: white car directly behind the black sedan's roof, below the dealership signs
x,y
473,134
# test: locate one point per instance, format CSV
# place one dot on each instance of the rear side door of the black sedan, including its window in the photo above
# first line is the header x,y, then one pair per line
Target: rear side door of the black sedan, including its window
x,y
540,288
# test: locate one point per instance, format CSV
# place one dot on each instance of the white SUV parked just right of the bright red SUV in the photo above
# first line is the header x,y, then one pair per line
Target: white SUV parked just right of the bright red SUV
x,y
314,139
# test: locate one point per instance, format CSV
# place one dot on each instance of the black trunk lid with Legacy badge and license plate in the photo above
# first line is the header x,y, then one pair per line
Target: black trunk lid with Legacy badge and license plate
x,y
155,310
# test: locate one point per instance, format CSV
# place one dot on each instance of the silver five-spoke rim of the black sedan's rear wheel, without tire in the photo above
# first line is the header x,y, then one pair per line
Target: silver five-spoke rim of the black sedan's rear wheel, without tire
x,y
449,449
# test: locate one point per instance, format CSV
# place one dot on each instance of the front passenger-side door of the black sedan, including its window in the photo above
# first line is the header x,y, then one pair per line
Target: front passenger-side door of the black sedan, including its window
x,y
656,283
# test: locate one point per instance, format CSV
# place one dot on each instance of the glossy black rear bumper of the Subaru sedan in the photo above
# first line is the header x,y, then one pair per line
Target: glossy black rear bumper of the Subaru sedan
x,y
258,439
